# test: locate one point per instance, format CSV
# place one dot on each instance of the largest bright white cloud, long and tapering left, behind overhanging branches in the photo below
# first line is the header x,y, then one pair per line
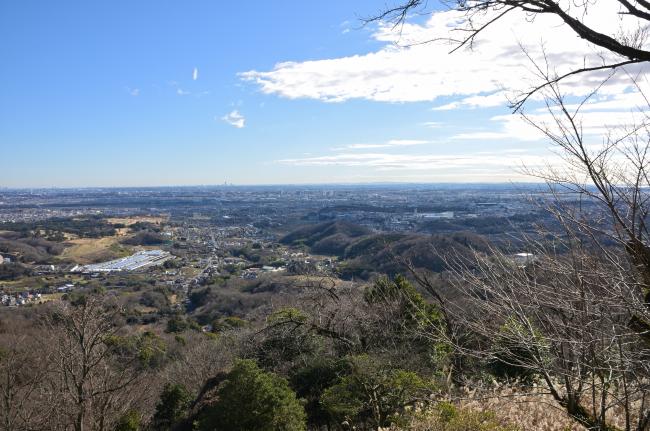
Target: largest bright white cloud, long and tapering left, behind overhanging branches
x,y
404,71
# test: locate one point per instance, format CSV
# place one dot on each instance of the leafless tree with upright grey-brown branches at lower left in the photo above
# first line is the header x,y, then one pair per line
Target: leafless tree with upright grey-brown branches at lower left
x,y
95,371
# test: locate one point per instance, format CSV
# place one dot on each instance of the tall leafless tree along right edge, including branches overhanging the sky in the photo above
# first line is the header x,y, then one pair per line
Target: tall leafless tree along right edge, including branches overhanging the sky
x,y
579,316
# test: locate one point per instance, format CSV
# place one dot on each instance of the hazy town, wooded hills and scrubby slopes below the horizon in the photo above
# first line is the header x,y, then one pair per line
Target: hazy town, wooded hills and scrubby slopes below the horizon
x,y
200,278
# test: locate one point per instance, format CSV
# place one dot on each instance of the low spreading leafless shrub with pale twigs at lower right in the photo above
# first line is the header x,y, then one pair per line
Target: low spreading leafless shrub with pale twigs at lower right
x,y
564,318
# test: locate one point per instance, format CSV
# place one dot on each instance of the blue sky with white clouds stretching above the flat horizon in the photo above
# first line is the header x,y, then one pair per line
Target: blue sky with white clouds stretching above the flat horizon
x,y
181,93
